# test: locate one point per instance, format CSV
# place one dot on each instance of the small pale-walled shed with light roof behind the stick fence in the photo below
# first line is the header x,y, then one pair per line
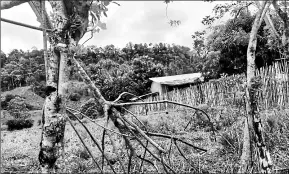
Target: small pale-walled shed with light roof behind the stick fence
x,y
167,83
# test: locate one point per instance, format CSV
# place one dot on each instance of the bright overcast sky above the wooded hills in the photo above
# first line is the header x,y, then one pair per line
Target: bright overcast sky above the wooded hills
x,y
133,21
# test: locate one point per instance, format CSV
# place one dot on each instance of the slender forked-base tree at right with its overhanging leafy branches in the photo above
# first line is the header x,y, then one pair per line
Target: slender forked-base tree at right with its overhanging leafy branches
x,y
253,126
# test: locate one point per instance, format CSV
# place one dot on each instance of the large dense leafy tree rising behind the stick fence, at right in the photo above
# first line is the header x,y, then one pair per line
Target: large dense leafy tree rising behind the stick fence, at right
x,y
222,48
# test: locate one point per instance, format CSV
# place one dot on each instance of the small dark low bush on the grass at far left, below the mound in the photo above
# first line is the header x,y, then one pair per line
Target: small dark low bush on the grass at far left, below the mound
x,y
18,124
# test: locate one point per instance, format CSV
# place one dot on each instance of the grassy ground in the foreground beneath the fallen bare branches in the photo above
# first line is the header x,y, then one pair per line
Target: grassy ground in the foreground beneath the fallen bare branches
x,y
20,148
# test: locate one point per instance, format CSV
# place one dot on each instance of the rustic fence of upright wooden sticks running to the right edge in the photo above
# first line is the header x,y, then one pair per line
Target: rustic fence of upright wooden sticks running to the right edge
x,y
227,91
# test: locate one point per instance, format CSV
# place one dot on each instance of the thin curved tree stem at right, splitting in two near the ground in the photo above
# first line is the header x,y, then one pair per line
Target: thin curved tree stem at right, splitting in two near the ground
x,y
254,120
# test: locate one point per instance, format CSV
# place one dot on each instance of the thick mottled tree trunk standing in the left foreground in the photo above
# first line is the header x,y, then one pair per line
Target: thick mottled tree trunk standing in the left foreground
x,y
62,46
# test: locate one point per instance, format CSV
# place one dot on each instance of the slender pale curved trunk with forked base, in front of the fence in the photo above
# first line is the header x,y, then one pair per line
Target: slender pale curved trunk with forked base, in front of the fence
x,y
253,121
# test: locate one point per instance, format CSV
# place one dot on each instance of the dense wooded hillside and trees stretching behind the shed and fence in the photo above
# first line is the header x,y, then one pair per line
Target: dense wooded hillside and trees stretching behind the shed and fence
x,y
220,49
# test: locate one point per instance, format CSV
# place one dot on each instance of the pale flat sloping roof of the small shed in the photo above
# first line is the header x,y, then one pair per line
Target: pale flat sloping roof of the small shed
x,y
179,79
